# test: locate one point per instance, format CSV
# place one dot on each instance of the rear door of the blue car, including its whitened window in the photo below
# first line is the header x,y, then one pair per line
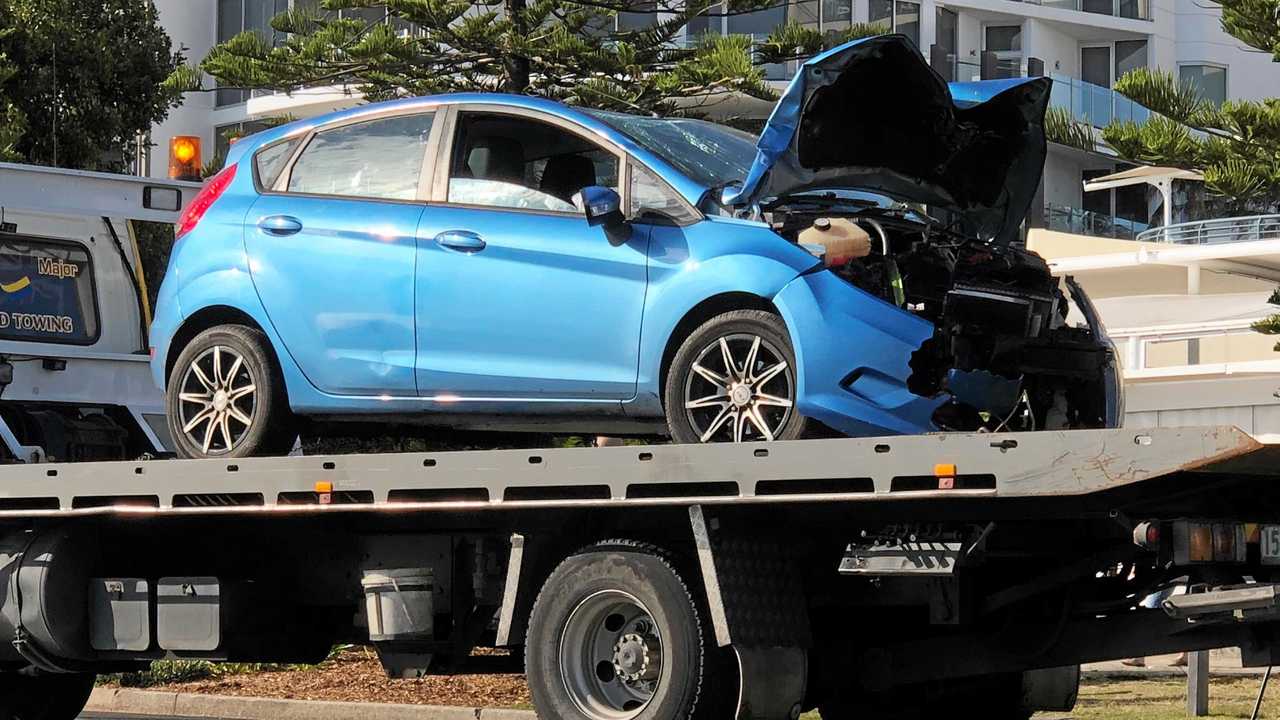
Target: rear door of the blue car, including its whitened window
x,y
332,250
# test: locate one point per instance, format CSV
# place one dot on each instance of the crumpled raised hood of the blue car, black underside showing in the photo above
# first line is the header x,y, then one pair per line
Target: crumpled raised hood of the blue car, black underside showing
x,y
872,115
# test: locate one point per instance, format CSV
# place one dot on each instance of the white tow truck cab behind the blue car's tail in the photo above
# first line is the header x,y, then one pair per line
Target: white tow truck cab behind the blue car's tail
x,y
75,315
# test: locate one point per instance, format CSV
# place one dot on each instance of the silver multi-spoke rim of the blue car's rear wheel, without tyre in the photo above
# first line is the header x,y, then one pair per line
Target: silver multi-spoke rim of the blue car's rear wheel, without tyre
x,y
216,400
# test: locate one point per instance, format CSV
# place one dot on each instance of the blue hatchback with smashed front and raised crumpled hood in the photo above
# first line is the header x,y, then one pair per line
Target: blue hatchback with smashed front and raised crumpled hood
x,y
493,262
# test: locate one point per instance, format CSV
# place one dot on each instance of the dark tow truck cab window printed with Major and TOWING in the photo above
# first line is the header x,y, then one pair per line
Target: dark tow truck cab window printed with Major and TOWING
x,y
47,293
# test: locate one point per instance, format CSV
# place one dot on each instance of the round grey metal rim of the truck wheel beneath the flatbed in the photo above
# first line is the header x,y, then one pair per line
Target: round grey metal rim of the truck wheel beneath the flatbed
x,y
611,657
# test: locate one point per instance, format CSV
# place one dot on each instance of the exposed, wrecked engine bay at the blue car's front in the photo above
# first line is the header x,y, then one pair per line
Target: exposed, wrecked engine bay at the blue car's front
x,y
1003,348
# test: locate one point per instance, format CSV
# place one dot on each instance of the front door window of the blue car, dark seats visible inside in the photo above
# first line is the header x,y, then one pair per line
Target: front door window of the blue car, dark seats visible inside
x,y
520,163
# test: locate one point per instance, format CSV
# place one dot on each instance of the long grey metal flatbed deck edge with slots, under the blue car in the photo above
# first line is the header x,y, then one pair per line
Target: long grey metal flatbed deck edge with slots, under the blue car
x,y
1043,464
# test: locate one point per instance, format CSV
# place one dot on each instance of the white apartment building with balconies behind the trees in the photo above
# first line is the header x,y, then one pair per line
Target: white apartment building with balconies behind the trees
x,y
1084,44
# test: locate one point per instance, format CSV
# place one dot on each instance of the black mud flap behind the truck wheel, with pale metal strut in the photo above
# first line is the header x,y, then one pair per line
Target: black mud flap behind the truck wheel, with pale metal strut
x,y
757,608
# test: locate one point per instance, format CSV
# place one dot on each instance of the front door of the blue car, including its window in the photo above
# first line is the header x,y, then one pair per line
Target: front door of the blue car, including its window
x,y
518,298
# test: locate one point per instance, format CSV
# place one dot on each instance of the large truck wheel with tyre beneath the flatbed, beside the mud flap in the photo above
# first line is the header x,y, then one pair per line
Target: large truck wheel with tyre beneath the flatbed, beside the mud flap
x,y
616,635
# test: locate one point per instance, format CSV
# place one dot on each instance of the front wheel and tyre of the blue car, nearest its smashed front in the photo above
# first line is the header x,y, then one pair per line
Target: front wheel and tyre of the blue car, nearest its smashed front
x,y
707,403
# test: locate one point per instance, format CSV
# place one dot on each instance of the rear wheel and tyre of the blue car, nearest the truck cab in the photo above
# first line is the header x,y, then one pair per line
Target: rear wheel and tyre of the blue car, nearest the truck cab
x,y
244,412
